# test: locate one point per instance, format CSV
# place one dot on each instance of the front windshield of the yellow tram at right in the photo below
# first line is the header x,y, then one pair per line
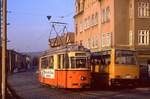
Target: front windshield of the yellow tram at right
x,y
125,57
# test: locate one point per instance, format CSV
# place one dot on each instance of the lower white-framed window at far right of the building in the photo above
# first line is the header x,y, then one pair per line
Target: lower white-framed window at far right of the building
x,y
143,37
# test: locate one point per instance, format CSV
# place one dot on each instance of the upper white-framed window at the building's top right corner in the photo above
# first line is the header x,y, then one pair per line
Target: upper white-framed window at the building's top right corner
x,y
143,10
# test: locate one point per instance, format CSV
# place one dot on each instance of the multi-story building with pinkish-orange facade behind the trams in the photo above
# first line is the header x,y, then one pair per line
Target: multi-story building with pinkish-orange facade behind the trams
x,y
105,24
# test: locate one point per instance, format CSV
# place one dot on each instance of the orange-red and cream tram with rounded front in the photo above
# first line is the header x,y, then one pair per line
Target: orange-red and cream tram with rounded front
x,y
66,68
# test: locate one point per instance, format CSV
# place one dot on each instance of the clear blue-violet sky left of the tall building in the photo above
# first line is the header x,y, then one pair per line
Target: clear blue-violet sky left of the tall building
x,y
29,29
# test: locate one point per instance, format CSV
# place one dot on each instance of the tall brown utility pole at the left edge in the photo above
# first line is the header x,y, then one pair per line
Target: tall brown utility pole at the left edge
x,y
4,47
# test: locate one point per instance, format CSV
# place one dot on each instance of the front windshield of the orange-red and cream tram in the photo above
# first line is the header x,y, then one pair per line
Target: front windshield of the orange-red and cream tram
x,y
78,62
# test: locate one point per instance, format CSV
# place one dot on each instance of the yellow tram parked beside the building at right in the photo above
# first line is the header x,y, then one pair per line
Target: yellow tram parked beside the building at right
x,y
114,67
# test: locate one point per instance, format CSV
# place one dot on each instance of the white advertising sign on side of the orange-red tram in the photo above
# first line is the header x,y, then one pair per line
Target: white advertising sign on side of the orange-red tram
x,y
48,73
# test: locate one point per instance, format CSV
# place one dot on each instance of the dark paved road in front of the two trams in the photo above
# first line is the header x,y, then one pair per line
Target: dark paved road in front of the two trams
x,y
28,87
